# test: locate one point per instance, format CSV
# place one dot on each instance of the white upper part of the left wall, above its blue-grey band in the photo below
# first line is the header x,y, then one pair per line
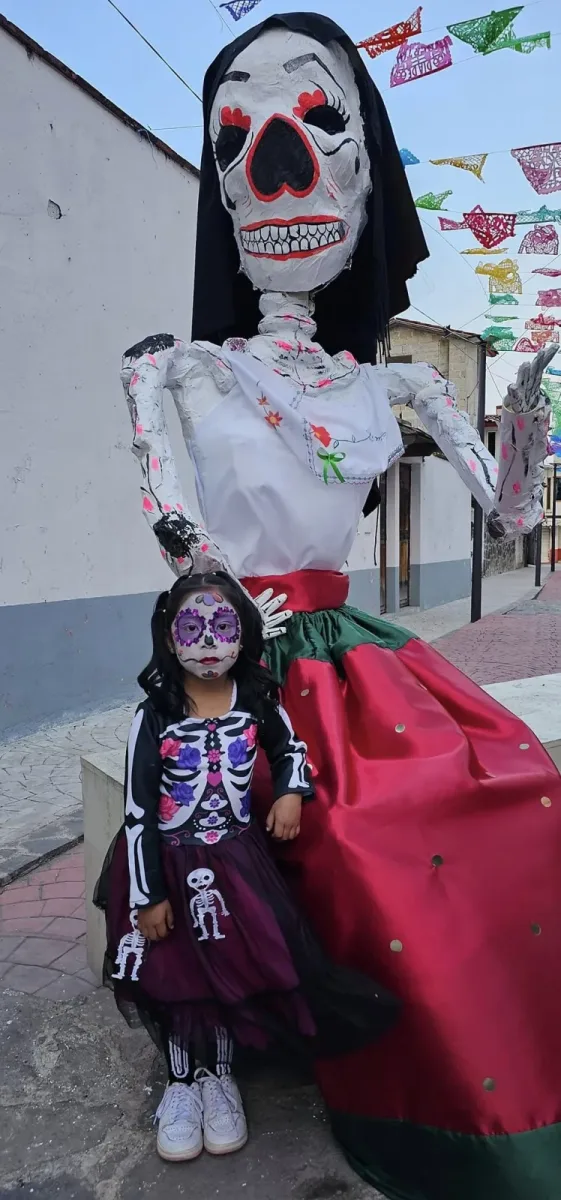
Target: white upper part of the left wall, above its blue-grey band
x,y
75,293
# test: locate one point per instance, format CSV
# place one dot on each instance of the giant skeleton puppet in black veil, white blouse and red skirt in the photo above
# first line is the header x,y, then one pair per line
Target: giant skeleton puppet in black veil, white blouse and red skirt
x,y
432,850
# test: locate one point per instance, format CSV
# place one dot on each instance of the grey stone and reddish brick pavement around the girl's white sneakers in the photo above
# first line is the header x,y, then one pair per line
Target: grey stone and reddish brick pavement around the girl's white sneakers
x,y
80,1089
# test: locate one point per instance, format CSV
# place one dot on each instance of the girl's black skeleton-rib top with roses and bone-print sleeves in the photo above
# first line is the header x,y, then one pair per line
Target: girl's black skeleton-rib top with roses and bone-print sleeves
x,y
190,783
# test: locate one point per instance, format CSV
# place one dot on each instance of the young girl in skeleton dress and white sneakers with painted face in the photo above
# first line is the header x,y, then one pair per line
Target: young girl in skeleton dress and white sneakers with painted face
x,y
204,943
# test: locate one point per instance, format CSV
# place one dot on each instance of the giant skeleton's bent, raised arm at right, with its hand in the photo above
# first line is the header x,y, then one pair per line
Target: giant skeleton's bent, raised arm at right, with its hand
x,y
514,507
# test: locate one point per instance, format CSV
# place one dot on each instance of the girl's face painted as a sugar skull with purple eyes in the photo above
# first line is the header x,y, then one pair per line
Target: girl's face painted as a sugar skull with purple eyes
x,y
207,635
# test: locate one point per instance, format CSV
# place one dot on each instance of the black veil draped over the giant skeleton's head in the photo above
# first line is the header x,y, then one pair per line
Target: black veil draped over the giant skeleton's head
x,y
354,311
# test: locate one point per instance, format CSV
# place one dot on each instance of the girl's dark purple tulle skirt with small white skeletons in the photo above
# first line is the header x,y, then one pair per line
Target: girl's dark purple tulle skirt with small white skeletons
x,y
240,957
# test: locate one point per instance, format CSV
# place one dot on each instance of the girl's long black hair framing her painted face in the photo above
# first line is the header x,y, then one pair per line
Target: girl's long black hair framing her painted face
x,y
164,679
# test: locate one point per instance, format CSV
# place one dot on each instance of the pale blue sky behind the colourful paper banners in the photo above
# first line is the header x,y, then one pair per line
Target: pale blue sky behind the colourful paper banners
x,y
481,104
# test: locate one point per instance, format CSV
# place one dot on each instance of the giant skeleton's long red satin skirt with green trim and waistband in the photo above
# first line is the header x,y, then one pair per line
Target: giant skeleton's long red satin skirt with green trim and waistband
x,y
431,860
